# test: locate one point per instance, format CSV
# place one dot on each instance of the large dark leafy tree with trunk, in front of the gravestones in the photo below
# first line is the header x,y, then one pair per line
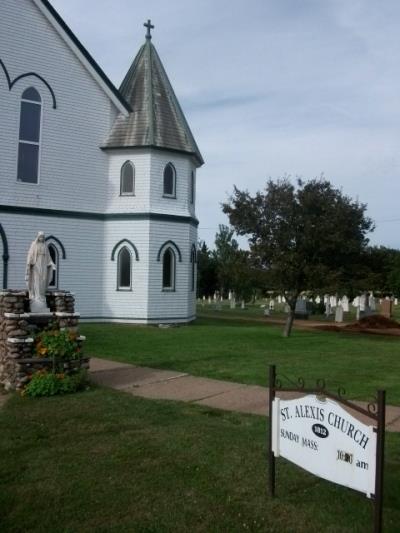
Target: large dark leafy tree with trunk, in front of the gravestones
x,y
306,237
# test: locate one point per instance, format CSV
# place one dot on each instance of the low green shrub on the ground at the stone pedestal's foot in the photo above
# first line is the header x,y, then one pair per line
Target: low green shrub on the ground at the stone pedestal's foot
x,y
45,383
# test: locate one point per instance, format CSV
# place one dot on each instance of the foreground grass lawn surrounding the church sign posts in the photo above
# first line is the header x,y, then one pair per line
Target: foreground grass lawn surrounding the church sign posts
x,y
105,461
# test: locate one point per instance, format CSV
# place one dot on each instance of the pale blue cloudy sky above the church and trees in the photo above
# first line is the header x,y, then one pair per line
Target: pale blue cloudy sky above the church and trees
x,y
271,88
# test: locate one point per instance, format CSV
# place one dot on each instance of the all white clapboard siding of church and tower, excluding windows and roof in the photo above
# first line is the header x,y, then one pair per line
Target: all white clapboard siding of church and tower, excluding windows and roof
x,y
77,175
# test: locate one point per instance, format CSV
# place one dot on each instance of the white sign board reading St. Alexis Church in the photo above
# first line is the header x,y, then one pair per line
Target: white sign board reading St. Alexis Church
x,y
321,437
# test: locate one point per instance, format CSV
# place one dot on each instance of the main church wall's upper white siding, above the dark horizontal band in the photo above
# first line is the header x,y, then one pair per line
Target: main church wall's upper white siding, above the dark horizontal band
x,y
73,169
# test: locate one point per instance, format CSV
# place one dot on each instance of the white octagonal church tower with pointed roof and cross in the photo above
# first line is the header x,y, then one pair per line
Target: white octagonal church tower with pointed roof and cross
x,y
152,225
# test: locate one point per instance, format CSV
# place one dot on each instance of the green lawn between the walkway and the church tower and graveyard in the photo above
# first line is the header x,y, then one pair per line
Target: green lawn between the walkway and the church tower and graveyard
x,y
241,351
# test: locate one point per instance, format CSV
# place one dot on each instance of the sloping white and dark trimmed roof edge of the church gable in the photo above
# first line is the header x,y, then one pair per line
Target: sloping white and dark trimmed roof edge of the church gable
x,y
83,55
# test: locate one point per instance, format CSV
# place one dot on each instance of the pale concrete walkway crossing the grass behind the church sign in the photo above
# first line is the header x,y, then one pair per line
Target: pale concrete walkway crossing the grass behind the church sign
x,y
171,385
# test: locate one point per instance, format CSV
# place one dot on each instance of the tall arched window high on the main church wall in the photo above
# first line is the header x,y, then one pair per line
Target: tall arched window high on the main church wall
x,y
29,136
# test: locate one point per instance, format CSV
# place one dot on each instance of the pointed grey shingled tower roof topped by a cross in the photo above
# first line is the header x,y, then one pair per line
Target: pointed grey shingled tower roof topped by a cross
x,y
156,119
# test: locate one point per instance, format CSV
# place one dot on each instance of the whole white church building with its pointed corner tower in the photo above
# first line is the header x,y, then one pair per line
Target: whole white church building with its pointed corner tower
x,y
108,174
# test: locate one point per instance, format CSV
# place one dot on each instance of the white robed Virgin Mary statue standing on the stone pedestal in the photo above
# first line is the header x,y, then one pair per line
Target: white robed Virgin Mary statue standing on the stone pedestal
x,y
39,271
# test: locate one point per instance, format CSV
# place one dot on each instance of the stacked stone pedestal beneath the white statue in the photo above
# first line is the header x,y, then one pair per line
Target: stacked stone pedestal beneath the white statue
x,y
17,330
